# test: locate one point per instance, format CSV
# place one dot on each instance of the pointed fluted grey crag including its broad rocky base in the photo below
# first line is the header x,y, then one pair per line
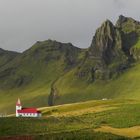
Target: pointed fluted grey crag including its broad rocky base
x,y
105,55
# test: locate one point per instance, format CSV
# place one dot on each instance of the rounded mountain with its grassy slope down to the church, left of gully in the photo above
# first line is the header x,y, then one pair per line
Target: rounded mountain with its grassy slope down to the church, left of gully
x,y
31,74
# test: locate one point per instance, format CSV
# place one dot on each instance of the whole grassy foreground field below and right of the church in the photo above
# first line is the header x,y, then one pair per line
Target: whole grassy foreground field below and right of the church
x,y
85,120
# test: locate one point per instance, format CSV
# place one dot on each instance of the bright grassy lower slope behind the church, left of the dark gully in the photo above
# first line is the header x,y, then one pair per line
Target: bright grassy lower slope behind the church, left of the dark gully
x,y
35,94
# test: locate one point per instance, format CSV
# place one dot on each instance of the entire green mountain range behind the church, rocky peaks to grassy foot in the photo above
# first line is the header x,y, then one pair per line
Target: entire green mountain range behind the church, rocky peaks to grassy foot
x,y
51,72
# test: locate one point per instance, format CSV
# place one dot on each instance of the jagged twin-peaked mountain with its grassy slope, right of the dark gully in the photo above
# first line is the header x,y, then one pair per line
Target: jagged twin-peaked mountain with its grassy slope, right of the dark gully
x,y
108,66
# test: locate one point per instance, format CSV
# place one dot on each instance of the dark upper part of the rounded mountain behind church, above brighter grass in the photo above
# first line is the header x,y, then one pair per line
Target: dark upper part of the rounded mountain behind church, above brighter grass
x,y
38,62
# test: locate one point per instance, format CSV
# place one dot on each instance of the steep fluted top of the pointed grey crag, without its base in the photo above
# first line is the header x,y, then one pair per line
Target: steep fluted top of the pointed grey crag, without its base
x,y
106,42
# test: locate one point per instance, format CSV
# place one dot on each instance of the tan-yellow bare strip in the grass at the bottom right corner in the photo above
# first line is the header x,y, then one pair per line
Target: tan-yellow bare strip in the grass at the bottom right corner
x,y
131,132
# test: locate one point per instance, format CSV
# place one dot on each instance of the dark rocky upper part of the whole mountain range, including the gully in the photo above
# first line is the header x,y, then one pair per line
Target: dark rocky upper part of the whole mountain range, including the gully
x,y
113,49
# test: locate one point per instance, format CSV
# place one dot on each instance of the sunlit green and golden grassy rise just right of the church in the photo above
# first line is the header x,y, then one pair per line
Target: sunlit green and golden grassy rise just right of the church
x,y
124,114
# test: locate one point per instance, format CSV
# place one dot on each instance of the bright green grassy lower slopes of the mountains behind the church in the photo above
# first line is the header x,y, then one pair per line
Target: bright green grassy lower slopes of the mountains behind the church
x,y
70,88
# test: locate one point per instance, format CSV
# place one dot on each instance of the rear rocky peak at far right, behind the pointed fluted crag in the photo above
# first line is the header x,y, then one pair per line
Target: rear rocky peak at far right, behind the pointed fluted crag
x,y
130,29
